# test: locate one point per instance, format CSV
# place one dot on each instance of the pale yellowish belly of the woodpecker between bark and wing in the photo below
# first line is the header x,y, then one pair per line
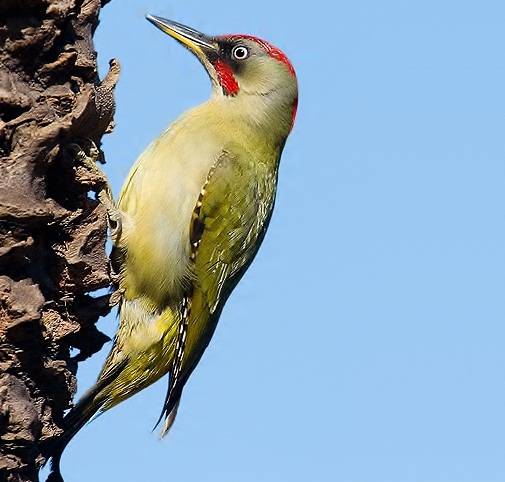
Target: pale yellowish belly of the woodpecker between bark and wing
x,y
158,201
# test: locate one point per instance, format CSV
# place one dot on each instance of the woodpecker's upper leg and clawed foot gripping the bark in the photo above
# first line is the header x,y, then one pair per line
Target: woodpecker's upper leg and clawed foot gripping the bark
x,y
88,158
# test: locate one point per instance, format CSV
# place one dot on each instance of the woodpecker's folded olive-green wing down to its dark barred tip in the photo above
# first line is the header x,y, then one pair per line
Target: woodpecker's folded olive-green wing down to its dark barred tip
x,y
229,222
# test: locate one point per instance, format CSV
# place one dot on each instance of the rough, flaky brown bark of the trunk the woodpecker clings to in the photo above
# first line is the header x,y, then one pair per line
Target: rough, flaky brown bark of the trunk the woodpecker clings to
x,y
52,230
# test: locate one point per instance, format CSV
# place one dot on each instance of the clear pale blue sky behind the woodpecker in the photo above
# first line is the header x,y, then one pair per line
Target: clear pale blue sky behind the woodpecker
x,y
367,341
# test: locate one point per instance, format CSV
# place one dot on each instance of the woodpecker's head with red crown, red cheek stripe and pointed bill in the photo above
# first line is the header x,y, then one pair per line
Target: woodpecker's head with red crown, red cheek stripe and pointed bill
x,y
241,67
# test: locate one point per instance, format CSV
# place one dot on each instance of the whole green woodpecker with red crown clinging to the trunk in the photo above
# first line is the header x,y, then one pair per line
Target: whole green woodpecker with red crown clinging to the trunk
x,y
193,213
